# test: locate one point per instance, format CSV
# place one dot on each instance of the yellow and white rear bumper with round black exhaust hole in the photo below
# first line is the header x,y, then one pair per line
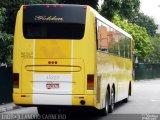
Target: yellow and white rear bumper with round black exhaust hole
x,y
50,99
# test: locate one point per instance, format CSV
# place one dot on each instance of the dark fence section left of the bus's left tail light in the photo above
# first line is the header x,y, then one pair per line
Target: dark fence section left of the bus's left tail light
x,y
6,85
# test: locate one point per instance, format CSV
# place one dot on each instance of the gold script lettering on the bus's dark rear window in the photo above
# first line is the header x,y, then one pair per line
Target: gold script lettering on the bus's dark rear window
x,y
48,18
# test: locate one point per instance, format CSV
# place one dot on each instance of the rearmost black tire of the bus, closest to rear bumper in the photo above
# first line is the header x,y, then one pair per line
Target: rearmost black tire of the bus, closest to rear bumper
x,y
105,110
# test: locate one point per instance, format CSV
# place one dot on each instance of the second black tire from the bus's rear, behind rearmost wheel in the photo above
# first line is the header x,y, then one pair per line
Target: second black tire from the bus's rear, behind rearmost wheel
x,y
112,101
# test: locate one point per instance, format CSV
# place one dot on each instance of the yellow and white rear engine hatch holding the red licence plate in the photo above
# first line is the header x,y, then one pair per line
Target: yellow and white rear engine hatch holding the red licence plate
x,y
56,79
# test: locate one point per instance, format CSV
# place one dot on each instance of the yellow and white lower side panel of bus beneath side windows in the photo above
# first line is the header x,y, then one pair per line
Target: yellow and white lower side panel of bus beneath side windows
x,y
115,71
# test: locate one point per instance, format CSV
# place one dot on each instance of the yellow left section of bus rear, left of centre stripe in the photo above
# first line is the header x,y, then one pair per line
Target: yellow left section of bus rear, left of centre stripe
x,y
23,50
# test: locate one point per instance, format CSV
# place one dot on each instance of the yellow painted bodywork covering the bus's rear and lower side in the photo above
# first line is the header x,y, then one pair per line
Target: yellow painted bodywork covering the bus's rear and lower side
x,y
76,57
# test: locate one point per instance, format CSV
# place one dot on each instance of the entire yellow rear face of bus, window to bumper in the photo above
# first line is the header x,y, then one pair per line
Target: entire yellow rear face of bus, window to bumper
x,y
54,56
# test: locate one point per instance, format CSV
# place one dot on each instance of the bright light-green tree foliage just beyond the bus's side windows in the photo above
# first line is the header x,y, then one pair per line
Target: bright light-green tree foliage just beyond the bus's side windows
x,y
143,46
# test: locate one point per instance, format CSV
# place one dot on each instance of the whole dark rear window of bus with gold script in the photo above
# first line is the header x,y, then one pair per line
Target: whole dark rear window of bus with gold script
x,y
40,22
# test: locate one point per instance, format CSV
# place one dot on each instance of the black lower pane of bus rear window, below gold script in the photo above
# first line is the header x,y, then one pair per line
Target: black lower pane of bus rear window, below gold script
x,y
53,30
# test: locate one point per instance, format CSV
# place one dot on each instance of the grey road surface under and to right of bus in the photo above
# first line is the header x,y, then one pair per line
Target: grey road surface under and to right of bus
x,y
144,104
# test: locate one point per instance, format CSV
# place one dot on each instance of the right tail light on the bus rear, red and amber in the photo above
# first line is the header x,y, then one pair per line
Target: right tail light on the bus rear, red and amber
x,y
90,82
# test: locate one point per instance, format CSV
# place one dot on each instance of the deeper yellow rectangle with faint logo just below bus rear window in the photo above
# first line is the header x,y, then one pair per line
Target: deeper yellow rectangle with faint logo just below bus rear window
x,y
52,49
